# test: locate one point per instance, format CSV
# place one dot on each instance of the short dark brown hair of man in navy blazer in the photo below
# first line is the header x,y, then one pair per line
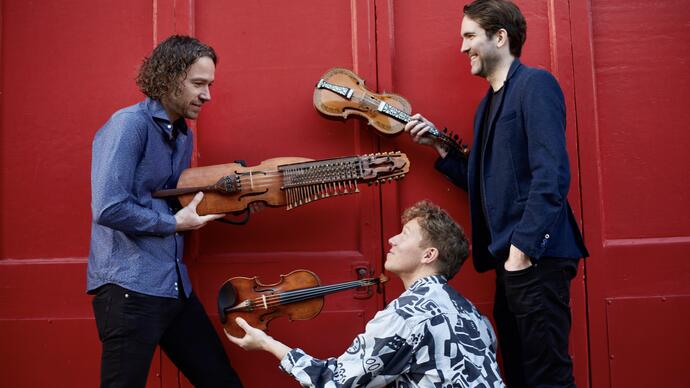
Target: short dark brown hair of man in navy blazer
x,y
492,15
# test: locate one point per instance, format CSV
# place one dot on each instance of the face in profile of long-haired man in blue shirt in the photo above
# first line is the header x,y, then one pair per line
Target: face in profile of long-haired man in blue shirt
x,y
194,91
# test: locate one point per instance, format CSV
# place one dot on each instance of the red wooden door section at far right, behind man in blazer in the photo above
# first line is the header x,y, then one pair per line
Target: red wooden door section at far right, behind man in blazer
x,y
633,118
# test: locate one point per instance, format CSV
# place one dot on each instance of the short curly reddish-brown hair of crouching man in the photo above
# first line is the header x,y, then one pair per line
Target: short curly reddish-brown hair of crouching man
x,y
440,231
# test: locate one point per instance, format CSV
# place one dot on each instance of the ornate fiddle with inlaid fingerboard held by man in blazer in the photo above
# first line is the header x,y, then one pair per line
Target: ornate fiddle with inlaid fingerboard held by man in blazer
x,y
341,92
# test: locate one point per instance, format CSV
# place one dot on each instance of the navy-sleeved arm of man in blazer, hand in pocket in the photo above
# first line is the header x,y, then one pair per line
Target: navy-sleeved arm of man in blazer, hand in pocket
x,y
544,118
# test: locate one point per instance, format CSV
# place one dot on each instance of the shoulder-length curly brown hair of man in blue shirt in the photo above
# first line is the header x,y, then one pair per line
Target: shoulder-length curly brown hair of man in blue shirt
x,y
160,73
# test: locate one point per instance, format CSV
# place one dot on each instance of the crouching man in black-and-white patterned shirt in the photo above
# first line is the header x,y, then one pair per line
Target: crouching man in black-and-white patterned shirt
x,y
430,336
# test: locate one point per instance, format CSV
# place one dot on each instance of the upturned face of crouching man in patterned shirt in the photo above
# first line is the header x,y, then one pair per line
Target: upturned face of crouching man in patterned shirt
x,y
406,253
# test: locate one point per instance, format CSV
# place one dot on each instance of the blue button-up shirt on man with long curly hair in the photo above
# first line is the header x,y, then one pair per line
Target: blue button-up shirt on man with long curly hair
x,y
133,239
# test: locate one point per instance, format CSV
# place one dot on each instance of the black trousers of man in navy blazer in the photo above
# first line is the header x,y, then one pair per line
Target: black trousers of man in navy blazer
x,y
532,314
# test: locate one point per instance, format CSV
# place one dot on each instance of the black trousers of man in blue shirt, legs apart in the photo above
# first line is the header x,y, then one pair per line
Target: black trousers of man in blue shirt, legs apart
x,y
131,325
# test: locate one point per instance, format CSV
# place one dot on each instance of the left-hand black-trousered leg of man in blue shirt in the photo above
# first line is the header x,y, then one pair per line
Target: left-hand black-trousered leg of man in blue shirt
x,y
128,332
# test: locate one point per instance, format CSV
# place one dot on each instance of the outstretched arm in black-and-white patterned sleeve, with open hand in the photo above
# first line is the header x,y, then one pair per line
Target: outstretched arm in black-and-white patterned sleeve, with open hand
x,y
380,354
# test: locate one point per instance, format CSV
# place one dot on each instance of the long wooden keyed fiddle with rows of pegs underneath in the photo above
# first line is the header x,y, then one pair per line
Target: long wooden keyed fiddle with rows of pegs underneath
x,y
290,181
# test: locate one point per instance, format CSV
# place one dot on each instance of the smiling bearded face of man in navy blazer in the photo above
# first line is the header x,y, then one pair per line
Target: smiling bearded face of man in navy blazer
x,y
482,50
